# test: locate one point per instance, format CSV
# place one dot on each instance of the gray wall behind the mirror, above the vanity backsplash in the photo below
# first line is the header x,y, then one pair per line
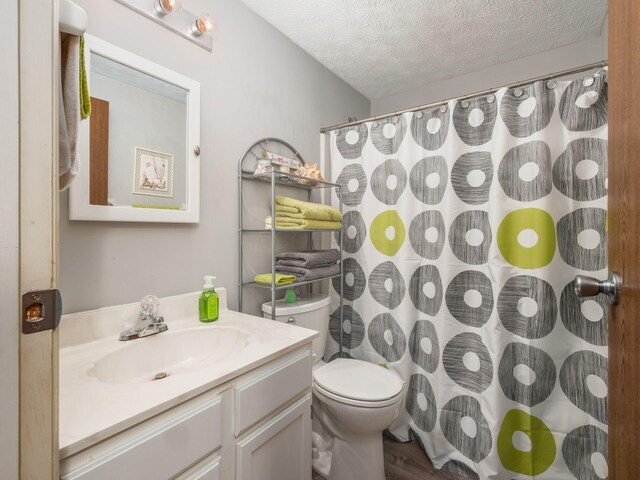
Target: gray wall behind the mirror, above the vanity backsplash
x,y
255,83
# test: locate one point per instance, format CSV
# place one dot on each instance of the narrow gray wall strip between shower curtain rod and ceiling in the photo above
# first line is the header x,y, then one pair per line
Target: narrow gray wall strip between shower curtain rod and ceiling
x,y
578,54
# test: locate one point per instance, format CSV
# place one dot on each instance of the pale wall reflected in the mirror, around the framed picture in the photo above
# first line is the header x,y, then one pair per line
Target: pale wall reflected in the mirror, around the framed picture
x,y
141,118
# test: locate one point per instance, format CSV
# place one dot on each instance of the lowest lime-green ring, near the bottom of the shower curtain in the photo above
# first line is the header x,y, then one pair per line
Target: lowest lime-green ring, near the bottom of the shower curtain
x,y
543,445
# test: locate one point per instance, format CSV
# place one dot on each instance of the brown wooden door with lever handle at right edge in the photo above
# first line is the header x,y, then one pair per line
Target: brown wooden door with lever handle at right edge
x,y
624,231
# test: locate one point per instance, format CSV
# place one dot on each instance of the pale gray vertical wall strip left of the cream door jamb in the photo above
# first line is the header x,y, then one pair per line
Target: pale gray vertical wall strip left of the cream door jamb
x,y
9,209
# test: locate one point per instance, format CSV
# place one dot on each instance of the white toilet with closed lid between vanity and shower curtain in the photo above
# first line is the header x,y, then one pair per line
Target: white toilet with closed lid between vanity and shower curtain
x,y
353,401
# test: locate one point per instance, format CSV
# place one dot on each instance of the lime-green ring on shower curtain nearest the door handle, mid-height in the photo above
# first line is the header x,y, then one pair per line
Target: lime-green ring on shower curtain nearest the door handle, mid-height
x,y
517,255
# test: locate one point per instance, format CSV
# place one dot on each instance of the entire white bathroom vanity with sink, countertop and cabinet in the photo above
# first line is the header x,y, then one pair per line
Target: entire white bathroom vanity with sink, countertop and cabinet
x,y
232,401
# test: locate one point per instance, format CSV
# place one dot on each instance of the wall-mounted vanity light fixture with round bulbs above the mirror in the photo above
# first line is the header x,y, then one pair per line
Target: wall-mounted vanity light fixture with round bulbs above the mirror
x,y
171,14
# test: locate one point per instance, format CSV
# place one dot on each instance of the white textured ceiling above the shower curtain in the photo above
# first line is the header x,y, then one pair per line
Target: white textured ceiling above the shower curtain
x,y
384,47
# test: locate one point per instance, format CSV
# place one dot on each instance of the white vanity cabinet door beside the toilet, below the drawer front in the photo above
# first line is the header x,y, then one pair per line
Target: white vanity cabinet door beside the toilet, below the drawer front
x,y
280,449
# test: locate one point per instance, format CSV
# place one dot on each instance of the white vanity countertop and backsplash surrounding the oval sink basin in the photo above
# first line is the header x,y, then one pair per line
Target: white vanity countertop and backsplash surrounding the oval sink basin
x,y
92,410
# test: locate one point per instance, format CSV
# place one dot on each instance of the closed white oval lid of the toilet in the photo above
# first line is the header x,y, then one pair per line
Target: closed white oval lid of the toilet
x,y
358,380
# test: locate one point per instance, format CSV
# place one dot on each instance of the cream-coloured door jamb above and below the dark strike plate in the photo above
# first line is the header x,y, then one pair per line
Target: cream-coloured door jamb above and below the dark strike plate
x,y
38,227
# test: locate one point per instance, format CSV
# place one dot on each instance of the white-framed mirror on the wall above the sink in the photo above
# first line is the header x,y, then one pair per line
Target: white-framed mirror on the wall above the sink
x,y
139,147
